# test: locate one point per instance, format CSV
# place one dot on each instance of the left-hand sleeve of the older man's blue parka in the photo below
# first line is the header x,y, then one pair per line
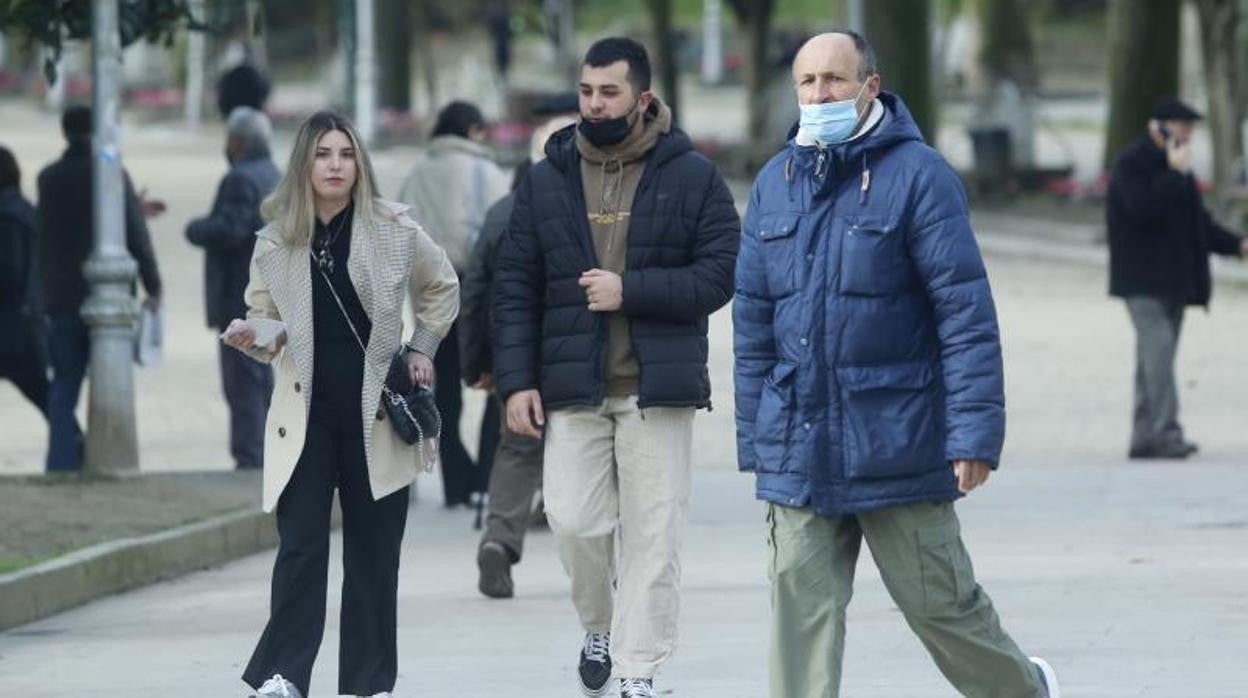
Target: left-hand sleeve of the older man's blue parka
x,y
754,337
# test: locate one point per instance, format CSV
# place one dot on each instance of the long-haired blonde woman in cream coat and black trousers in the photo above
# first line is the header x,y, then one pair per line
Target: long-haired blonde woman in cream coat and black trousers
x,y
334,265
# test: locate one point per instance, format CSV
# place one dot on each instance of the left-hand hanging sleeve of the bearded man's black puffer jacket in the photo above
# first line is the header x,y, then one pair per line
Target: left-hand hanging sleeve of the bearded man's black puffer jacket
x,y
519,302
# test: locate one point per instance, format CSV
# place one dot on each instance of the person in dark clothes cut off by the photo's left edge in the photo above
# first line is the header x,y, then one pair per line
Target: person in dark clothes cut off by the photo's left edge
x,y
23,348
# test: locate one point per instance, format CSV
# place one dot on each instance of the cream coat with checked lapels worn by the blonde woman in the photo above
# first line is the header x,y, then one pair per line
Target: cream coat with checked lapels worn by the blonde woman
x,y
386,258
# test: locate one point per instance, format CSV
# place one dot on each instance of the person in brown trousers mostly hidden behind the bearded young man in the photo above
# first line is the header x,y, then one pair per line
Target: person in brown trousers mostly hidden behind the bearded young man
x,y
517,474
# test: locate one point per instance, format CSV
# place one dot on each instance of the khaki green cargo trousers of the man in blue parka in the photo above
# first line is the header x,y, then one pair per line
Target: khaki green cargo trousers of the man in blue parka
x,y
927,570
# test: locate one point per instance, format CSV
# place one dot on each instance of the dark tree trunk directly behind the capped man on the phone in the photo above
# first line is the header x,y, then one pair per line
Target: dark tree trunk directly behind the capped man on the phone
x,y
1144,67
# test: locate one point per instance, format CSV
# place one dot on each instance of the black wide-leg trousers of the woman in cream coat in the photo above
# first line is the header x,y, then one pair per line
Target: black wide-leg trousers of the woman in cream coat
x,y
373,531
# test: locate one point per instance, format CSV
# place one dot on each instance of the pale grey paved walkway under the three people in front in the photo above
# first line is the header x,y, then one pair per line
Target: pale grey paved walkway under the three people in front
x,y
1129,578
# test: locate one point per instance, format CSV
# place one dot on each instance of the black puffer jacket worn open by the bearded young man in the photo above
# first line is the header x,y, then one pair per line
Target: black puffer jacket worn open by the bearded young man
x,y
682,253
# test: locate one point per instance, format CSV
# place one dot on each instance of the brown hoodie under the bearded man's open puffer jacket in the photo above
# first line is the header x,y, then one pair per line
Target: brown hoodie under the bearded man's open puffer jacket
x,y
610,178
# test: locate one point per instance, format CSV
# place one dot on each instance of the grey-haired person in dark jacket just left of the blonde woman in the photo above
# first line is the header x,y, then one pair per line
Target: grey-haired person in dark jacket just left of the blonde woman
x,y
228,235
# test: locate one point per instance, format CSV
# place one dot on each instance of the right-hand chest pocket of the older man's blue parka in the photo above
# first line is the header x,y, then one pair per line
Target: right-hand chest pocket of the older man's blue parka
x,y
874,258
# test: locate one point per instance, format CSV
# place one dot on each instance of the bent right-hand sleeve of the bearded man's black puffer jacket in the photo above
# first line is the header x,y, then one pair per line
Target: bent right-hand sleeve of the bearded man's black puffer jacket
x,y
692,293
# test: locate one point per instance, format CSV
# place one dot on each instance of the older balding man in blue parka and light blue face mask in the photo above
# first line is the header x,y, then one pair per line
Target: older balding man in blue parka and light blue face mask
x,y
869,383
